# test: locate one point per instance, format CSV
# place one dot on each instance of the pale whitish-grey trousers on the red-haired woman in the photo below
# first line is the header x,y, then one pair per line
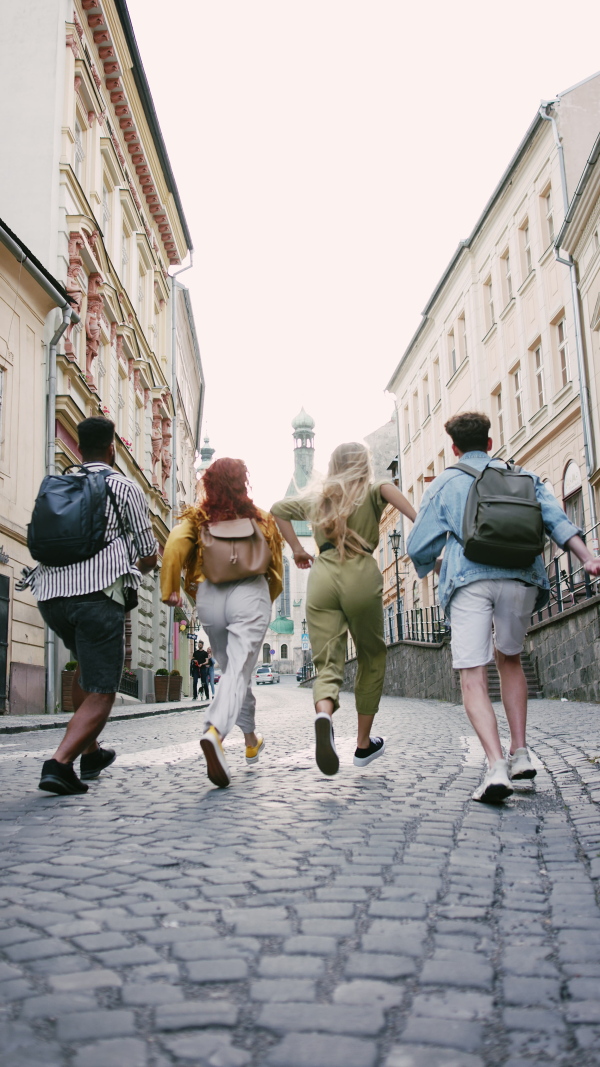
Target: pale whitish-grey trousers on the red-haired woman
x,y
235,616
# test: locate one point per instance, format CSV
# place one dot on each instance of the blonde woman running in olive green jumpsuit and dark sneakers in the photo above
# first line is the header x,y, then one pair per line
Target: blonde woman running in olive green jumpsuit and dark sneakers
x,y
344,592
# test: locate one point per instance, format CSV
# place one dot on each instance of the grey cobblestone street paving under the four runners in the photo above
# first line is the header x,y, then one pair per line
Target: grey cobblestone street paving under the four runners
x,y
381,919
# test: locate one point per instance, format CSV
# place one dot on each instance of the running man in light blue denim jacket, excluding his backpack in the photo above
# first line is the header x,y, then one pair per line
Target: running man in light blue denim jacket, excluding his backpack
x,y
477,596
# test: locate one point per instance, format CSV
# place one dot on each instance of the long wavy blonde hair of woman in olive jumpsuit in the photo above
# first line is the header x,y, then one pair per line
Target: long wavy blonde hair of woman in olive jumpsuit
x,y
333,501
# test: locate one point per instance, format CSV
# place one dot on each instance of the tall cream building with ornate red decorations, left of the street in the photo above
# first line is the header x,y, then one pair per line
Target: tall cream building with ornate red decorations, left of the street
x,y
96,198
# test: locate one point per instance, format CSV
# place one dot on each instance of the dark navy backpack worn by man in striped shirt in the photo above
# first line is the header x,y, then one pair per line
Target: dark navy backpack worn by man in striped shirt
x,y
69,520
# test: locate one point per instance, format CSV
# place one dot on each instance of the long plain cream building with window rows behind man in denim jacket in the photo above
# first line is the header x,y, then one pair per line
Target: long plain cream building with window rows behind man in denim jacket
x,y
500,332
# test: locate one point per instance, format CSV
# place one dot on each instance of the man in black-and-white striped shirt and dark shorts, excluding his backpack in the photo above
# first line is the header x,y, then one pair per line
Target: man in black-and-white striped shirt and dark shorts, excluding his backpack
x,y
85,604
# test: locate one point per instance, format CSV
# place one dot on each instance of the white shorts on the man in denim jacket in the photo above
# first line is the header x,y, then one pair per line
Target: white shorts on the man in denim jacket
x,y
503,603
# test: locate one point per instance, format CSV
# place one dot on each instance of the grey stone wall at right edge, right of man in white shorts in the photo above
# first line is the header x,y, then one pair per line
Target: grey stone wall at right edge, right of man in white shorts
x,y
565,651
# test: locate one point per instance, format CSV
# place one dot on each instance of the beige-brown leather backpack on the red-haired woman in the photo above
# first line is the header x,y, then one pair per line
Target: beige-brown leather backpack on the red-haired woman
x,y
233,551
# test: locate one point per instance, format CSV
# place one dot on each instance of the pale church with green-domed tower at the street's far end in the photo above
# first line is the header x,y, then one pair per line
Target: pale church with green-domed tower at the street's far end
x,y
283,643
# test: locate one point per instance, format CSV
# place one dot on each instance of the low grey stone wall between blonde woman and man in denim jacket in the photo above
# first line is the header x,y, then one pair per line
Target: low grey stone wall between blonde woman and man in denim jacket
x,y
422,672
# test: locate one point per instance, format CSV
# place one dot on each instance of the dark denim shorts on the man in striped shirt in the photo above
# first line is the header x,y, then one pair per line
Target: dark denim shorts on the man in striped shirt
x,y
93,628
